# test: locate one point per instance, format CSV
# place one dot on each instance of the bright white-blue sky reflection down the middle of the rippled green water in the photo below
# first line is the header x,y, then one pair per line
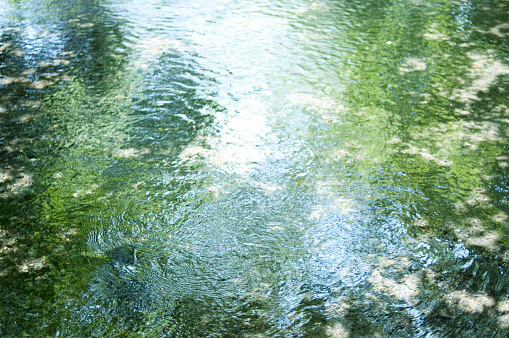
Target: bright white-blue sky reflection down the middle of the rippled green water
x,y
275,244
